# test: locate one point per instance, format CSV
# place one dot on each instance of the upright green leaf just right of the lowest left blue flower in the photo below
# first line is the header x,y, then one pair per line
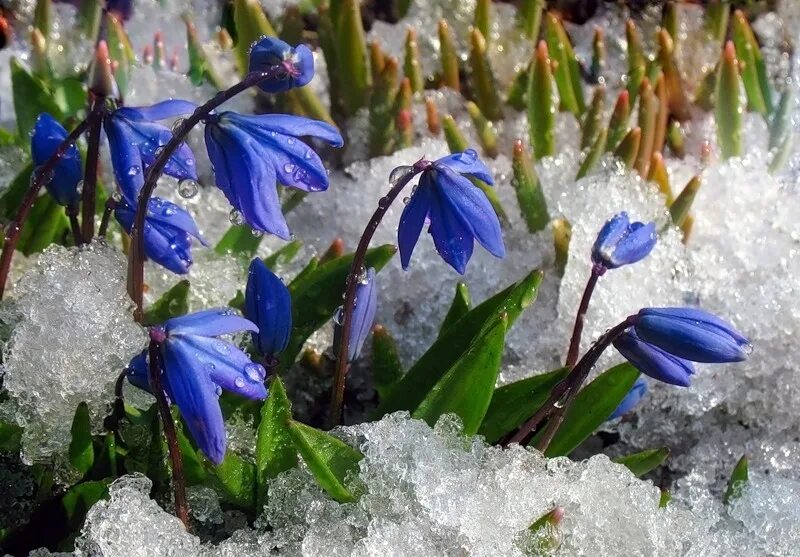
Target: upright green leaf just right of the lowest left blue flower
x,y
275,452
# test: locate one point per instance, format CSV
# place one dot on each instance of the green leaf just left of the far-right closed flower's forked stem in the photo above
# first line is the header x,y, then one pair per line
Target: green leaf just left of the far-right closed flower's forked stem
x,y
514,403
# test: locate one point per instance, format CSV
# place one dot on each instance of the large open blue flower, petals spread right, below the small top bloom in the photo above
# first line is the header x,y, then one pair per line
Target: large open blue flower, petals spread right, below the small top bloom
x,y
251,154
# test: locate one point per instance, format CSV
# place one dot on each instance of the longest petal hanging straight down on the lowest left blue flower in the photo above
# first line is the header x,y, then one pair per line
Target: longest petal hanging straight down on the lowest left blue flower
x,y
196,396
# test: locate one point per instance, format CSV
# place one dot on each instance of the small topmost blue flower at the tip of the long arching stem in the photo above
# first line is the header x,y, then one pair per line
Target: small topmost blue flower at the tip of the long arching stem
x,y
297,64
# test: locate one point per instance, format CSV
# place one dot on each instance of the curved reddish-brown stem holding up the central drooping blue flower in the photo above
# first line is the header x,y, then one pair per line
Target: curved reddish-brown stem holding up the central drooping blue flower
x,y
356,269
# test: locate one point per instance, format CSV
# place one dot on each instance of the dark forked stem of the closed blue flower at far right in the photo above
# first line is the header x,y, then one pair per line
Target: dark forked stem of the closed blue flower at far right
x,y
564,392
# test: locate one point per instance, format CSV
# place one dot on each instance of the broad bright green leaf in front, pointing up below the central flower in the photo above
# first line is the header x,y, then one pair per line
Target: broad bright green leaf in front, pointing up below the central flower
x,y
466,389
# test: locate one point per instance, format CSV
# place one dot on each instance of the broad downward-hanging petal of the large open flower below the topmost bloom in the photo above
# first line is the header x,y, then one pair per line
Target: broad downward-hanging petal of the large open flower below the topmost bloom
x,y
246,177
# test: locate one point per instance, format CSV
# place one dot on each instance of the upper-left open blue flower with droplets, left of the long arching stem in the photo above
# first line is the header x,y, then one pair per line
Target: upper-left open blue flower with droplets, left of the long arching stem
x,y
134,139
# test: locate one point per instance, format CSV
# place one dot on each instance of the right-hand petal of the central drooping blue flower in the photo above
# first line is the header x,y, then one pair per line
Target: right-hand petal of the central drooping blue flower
x,y
472,206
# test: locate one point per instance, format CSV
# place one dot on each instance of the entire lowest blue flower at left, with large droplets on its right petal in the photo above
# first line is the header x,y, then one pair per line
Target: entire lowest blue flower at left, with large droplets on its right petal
x,y
197,367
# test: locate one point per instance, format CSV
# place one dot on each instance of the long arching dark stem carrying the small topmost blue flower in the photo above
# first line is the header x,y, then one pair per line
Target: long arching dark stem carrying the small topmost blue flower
x,y
136,255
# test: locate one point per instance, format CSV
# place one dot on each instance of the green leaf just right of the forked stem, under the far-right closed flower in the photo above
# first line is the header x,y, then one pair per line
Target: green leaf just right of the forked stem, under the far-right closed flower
x,y
591,407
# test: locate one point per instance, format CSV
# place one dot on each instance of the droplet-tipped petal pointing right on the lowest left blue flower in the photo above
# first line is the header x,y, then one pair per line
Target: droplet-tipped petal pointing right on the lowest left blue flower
x,y
228,367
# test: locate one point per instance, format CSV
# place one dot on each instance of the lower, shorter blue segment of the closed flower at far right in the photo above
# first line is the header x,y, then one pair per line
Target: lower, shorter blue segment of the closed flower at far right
x,y
653,361
